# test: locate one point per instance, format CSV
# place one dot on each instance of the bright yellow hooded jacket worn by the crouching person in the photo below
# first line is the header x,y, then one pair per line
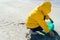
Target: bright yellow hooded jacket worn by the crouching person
x,y
36,17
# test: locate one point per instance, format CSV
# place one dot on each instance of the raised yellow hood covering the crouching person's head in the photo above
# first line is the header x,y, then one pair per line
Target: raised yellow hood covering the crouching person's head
x,y
45,8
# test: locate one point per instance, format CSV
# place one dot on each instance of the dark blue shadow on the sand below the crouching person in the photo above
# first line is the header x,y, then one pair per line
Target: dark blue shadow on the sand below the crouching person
x,y
43,37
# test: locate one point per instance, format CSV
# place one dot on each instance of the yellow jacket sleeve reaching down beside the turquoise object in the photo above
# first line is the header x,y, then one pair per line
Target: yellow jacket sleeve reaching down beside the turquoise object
x,y
42,23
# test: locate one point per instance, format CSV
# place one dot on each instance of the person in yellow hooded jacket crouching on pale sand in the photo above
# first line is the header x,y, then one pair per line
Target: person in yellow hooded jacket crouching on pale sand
x,y
36,20
